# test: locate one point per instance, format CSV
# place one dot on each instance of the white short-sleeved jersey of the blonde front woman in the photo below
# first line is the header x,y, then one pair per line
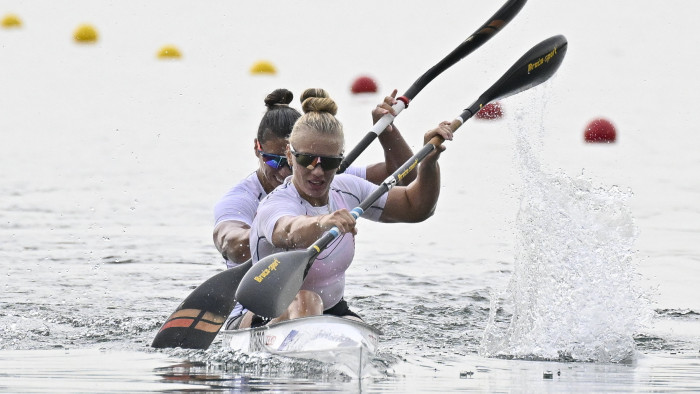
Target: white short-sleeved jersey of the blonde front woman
x,y
327,275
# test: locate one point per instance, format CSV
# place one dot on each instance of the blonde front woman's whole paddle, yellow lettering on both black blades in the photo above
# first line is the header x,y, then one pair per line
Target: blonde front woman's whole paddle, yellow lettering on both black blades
x,y
270,286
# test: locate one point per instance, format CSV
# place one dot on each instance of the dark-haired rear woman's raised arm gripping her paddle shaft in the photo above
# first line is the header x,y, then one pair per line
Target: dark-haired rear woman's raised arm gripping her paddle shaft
x,y
396,150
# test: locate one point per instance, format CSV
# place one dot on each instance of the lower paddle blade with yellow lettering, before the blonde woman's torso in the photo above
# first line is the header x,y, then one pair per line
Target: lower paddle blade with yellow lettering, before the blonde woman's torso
x,y
271,285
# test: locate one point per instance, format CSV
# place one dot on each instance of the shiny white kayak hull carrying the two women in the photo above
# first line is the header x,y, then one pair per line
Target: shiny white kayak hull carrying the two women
x,y
346,343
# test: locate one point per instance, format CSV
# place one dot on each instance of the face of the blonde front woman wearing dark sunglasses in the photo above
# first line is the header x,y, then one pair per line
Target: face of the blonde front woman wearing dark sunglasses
x,y
311,180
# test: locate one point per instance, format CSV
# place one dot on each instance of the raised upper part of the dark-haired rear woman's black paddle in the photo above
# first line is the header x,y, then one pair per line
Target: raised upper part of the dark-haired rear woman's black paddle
x,y
489,29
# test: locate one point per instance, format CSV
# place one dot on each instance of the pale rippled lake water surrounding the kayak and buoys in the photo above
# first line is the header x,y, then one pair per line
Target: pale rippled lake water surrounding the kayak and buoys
x,y
546,254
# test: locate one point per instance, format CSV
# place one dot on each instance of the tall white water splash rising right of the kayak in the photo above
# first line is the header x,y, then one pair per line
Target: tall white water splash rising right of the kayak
x,y
573,293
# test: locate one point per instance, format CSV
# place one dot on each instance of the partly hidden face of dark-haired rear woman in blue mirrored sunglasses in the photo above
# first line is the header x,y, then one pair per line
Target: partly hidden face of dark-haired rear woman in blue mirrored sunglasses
x,y
272,163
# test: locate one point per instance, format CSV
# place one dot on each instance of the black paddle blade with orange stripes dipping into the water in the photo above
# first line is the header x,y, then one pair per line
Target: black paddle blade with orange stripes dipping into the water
x,y
198,319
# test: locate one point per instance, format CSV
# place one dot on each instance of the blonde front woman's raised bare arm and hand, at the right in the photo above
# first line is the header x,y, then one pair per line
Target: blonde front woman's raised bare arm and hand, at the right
x,y
416,202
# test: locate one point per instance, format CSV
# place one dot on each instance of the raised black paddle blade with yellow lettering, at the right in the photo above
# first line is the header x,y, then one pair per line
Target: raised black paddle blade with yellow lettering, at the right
x,y
534,67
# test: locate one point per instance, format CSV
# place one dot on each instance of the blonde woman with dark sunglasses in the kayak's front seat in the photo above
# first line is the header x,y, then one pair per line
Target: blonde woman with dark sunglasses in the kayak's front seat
x,y
315,199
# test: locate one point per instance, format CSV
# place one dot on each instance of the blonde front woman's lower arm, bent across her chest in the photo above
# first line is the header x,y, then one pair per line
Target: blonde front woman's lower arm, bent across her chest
x,y
296,232
